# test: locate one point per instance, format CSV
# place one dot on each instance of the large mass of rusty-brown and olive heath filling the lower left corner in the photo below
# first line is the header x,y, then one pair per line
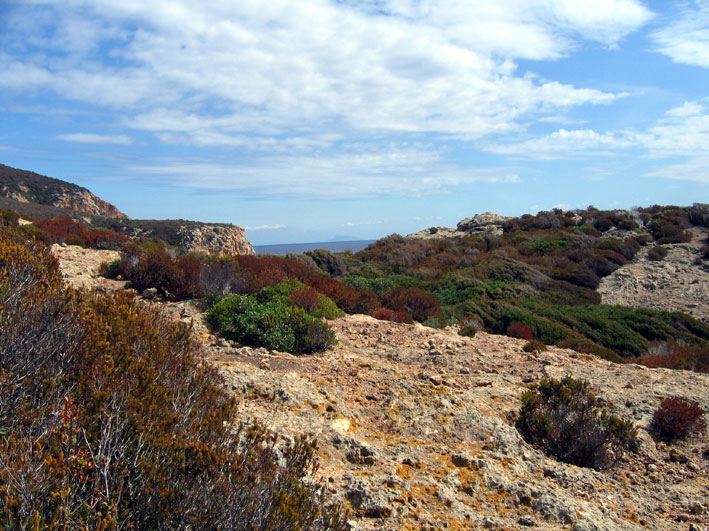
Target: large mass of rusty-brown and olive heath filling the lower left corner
x,y
111,420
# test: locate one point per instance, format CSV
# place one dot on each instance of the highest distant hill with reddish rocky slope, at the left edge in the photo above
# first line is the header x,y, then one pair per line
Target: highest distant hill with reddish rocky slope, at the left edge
x,y
29,187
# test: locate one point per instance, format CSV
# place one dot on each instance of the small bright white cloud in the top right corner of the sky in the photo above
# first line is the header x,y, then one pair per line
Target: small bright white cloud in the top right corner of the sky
x,y
687,39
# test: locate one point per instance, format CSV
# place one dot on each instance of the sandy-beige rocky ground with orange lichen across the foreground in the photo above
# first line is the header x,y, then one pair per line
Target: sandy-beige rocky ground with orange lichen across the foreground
x,y
415,428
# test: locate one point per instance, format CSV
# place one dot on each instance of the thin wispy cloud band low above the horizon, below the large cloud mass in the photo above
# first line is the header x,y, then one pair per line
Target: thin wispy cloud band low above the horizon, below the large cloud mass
x,y
359,171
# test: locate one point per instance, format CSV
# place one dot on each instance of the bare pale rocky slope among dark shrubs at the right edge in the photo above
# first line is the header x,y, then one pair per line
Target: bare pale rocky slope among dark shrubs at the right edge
x,y
675,283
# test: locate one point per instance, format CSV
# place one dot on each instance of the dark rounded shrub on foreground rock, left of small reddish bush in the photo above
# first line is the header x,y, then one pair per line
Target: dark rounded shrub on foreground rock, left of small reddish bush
x,y
565,420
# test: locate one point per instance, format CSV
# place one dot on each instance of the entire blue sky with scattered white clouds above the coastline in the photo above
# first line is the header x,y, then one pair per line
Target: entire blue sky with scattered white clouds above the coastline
x,y
320,120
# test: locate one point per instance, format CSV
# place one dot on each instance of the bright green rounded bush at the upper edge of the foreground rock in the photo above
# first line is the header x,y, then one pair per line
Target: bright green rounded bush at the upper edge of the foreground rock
x,y
272,324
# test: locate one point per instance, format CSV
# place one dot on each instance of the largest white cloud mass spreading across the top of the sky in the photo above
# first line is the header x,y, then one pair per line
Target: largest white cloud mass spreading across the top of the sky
x,y
216,72
